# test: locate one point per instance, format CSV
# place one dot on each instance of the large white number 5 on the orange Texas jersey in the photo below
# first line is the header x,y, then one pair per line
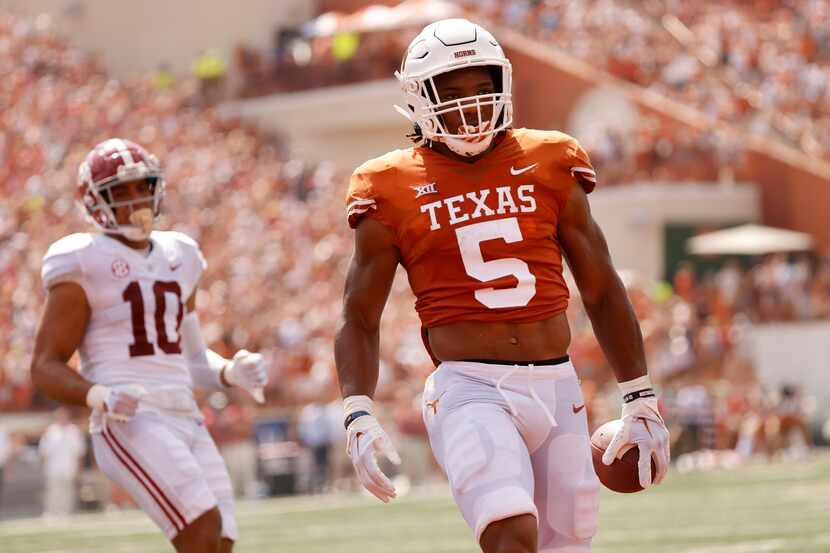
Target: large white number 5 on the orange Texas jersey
x,y
469,242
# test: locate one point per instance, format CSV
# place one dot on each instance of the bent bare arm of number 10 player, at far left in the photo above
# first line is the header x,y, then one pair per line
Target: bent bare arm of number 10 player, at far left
x,y
61,330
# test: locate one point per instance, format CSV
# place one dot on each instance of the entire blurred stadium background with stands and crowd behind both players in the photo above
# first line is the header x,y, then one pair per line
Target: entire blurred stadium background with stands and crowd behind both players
x,y
699,116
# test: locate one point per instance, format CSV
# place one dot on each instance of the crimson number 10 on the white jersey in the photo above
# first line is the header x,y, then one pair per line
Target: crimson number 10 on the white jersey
x,y
142,346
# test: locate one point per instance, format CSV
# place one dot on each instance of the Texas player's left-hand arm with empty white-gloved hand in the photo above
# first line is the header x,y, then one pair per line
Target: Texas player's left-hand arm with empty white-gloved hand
x,y
356,347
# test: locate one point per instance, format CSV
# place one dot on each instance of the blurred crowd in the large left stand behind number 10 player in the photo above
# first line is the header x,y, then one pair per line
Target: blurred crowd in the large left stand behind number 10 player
x,y
227,185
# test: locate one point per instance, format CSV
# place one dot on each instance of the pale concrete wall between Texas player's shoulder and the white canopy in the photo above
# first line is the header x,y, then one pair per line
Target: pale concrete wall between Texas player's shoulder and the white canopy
x,y
633,218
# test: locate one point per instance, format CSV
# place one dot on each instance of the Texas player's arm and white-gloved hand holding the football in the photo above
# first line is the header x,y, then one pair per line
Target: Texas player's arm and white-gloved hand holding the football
x,y
619,335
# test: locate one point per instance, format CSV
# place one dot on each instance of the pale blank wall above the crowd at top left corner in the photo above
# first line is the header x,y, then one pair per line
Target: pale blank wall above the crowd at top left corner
x,y
138,36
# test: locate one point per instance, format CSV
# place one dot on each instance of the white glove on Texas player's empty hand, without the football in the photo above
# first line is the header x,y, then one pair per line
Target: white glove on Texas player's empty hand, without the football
x,y
365,440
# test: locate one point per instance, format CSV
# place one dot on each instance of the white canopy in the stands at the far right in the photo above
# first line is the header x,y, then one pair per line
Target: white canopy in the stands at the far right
x,y
749,240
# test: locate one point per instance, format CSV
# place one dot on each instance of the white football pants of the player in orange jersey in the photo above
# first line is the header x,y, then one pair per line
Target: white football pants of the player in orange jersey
x,y
512,440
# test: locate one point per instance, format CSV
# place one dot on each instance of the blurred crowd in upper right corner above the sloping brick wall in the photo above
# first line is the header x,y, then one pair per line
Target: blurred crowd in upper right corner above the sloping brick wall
x,y
761,64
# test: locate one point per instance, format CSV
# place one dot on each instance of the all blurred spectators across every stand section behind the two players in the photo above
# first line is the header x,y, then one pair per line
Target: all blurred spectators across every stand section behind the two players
x,y
273,232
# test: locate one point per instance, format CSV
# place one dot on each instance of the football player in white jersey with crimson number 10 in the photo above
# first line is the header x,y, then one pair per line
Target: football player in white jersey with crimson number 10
x,y
124,298
